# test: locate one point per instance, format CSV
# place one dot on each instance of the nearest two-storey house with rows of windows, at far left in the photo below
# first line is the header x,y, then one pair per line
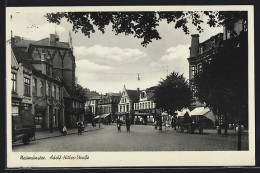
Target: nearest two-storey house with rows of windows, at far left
x,y
42,92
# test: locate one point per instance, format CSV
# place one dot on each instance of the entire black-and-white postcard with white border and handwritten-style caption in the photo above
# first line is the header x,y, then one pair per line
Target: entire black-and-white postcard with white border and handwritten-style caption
x,y
130,86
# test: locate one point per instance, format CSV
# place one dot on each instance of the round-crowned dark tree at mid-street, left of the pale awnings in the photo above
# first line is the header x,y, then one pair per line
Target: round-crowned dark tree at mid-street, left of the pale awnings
x,y
173,93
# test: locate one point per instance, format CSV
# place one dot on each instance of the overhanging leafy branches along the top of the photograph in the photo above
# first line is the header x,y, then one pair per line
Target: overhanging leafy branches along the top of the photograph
x,y
143,24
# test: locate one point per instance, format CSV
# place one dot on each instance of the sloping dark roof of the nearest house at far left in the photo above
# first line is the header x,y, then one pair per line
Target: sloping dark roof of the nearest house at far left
x,y
22,57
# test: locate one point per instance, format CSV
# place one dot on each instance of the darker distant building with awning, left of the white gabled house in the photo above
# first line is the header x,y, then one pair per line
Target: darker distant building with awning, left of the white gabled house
x,y
108,106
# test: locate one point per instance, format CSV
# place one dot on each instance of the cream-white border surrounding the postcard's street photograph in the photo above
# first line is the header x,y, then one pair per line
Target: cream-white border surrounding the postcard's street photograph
x,y
115,159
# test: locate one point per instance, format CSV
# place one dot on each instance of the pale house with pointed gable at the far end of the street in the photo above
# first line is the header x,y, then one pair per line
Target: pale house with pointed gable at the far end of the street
x,y
126,104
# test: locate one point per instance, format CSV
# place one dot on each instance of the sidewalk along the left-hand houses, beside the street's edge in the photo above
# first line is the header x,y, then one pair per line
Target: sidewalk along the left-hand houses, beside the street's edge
x,y
56,133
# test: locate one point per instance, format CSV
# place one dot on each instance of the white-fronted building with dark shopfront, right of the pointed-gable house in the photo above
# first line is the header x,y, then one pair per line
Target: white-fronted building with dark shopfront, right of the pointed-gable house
x,y
144,109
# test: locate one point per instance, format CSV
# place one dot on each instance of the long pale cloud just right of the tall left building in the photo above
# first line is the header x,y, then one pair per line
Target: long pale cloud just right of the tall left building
x,y
108,55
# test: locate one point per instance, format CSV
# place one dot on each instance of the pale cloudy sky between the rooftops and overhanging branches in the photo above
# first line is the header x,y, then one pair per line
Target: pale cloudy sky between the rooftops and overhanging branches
x,y
105,62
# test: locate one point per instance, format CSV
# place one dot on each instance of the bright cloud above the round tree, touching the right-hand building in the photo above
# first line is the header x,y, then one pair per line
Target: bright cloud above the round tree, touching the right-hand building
x,y
174,59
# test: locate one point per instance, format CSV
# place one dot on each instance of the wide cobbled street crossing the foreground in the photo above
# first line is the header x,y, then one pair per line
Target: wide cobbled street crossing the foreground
x,y
141,138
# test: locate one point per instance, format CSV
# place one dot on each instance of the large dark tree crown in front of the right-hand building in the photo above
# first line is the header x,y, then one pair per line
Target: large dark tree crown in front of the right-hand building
x,y
223,83
